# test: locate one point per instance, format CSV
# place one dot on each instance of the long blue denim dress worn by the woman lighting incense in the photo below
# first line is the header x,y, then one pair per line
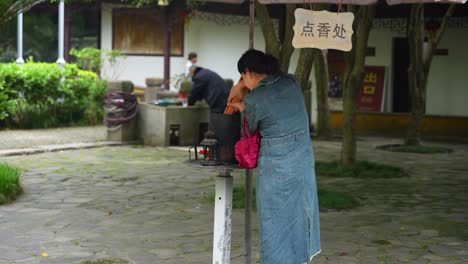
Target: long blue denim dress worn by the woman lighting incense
x,y
287,202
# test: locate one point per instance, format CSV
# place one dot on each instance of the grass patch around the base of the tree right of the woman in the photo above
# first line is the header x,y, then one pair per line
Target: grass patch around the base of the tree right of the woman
x,y
362,169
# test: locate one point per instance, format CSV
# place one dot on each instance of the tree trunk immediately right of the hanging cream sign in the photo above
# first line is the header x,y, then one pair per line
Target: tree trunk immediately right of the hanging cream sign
x,y
354,71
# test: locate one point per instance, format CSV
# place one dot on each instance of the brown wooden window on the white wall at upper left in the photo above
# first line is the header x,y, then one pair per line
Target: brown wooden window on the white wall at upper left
x,y
141,32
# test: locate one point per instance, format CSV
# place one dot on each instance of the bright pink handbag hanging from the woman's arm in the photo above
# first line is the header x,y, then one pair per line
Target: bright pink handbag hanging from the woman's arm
x,y
246,150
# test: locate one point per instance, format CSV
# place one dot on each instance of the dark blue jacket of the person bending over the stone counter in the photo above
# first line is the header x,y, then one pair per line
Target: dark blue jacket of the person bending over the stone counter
x,y
210,86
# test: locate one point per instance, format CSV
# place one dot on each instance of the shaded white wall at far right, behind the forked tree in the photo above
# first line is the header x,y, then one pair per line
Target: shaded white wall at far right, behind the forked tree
x,y
447,88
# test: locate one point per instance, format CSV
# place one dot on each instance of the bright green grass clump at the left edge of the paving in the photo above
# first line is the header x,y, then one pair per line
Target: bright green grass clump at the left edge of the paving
x,y
9,183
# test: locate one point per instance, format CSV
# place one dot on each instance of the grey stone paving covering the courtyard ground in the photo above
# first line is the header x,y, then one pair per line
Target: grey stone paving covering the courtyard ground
x,y
143,205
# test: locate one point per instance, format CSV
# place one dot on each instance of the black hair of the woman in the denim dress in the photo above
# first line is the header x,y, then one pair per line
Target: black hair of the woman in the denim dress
x,y
258,62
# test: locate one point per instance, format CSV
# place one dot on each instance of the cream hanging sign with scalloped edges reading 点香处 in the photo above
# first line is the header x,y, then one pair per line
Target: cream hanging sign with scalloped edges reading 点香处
x,y
323,30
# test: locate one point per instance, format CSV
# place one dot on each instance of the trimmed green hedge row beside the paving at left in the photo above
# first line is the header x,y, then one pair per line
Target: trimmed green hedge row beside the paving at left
x,y
40,95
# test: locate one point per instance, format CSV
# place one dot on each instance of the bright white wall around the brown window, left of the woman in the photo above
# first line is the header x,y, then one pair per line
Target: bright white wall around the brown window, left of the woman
x,y
218,48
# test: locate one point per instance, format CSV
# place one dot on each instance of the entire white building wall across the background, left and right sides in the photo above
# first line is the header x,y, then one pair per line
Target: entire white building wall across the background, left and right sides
x,y
219,46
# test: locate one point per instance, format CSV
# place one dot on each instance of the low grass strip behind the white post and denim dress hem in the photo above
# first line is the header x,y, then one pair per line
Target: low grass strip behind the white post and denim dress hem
x,y
327,199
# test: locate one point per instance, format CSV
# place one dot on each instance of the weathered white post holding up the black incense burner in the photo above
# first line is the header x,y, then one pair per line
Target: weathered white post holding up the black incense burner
x,y
222,219
